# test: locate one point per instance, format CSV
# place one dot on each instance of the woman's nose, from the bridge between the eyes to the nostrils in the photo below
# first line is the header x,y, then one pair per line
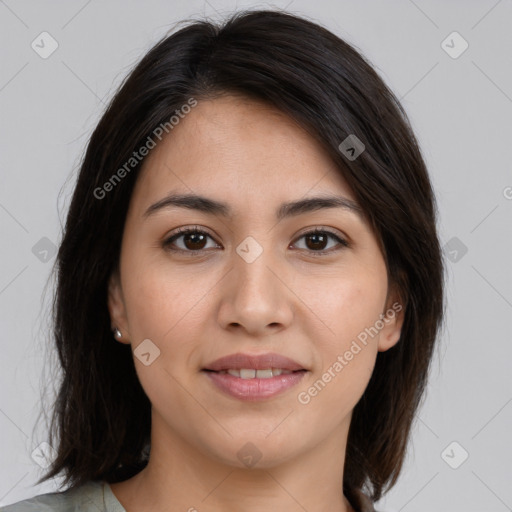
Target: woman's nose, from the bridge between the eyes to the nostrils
x,y
256,298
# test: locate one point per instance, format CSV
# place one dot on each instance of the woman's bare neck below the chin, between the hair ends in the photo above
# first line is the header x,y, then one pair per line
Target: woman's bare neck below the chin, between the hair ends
x,y
180,476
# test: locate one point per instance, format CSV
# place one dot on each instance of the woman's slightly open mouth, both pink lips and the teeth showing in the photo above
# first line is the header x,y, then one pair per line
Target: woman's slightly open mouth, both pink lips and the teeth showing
x,y
254,377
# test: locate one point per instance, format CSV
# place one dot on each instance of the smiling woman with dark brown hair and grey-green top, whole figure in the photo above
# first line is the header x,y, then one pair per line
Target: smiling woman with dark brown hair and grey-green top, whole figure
x,y
250,283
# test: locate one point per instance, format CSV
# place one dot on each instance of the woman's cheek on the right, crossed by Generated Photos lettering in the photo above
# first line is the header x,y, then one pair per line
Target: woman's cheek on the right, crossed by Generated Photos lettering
x,y
348,305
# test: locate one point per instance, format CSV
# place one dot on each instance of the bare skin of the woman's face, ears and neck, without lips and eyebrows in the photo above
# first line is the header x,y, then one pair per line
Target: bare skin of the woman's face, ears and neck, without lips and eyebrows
x,y
198,308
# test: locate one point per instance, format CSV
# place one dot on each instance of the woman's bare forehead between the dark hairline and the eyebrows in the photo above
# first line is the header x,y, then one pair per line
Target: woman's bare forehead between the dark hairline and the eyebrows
x,y
239,150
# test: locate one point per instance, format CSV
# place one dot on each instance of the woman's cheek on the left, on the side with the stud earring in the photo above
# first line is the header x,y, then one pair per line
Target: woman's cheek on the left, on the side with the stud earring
x,y
170,308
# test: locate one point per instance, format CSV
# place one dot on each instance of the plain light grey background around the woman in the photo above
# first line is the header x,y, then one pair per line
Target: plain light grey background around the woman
x,y
460,109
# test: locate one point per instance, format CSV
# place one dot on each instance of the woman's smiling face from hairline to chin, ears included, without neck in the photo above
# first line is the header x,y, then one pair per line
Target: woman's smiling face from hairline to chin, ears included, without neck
x,y
249,282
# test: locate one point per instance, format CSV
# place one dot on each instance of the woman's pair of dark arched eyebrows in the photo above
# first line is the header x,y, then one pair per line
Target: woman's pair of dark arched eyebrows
x,y
288,209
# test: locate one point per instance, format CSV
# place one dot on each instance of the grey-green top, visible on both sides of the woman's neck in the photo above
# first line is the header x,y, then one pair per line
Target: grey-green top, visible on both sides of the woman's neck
x,y
97,496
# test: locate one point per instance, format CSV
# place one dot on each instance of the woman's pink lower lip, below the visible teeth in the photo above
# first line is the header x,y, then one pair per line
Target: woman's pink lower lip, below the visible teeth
x,y
254,389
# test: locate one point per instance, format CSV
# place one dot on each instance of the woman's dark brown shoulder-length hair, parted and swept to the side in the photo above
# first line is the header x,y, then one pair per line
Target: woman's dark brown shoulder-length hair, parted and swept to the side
x,y
101,412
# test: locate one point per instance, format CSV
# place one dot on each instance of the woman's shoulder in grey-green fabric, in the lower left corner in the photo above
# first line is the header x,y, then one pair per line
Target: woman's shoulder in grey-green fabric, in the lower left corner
x,y
85,498
